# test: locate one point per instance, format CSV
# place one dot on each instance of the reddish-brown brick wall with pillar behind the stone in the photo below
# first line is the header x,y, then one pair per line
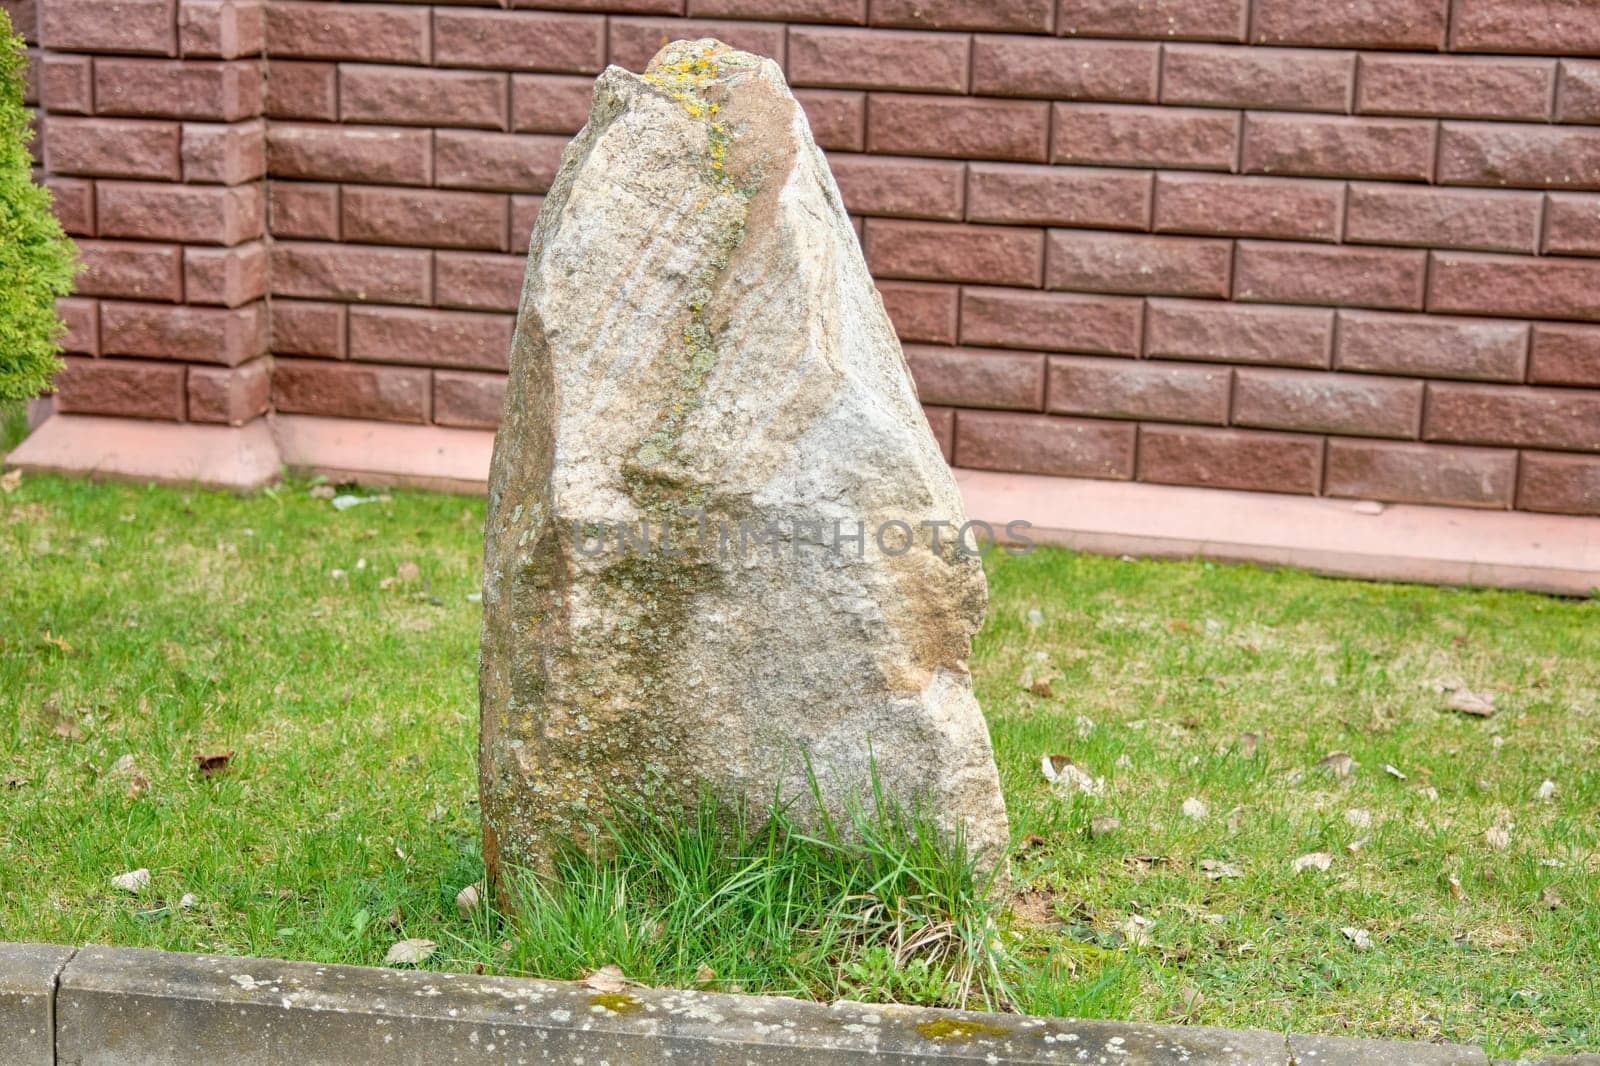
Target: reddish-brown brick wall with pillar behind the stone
x,y
1346,249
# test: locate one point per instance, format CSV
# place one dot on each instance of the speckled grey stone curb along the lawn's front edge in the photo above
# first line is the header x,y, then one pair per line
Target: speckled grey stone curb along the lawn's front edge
x,y
130,1008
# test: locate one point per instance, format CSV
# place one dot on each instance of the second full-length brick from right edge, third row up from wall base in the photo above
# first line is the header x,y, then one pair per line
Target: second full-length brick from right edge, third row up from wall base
x,y
1236,334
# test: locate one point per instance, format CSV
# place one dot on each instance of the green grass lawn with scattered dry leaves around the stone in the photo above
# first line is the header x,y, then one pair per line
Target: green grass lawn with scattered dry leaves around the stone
x,y
335,655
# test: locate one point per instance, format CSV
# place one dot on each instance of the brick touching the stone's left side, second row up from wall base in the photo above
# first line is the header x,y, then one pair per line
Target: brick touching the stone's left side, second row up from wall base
x,y
434,339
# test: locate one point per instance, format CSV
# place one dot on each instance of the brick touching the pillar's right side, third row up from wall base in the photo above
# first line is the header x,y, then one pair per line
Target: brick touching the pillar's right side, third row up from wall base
x,y
390,276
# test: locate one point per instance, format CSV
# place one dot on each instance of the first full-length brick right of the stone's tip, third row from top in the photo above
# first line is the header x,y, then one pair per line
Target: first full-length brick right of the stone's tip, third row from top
x,y
962,129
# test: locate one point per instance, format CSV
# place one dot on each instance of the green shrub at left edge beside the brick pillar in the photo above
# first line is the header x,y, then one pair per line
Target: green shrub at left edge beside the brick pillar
x,y
36,258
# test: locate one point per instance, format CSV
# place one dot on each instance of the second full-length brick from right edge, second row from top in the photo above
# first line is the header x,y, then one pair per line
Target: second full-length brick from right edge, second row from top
x,y
1284,79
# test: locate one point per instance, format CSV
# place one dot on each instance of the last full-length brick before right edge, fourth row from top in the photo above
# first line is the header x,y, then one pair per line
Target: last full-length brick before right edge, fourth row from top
x,y
1444,218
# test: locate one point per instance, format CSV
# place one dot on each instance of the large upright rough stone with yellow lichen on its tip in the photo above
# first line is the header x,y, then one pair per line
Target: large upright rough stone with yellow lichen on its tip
x,y
702,351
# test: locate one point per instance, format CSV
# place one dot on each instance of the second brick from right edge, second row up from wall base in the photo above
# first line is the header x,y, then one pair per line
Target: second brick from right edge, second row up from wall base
x,y
1313,401
